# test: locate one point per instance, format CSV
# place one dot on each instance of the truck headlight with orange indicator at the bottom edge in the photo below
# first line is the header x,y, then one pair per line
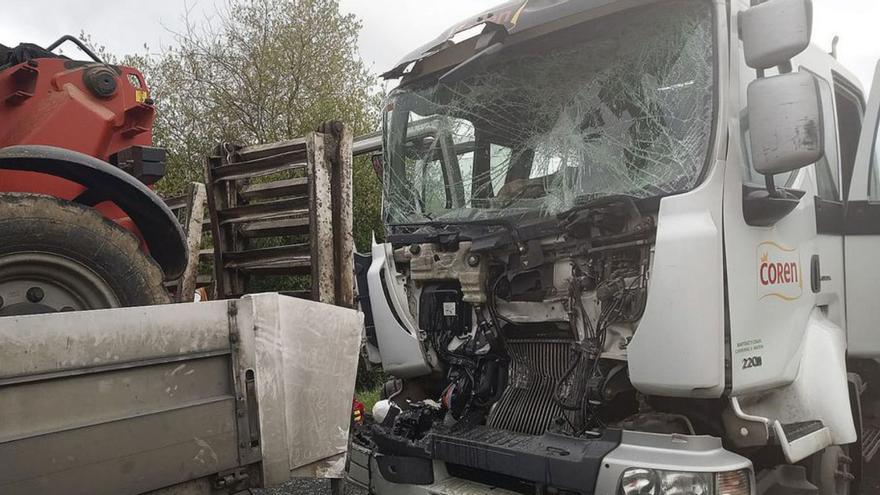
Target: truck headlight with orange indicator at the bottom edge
x,y
641,481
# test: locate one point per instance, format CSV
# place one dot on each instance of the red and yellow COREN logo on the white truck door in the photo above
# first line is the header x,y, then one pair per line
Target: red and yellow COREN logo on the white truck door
x,y
779,272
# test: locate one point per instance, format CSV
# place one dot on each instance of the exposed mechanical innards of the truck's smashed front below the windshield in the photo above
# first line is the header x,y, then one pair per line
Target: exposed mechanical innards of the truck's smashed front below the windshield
x,y
529,326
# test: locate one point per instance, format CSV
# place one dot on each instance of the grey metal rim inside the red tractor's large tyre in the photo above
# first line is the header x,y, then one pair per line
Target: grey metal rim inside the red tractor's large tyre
x,y
37,283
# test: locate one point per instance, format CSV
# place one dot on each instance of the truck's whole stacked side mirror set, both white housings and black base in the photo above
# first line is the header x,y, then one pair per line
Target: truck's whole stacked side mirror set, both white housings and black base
x,y
784,111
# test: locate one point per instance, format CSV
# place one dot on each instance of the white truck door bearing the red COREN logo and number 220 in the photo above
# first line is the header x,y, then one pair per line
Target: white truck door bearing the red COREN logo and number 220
x,y
771,298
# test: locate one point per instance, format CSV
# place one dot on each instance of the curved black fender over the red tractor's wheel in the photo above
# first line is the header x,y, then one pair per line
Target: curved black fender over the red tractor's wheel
x,y
159,227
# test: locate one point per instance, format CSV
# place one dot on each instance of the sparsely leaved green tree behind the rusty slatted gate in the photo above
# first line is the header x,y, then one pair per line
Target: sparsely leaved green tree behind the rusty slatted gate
x,y
261,71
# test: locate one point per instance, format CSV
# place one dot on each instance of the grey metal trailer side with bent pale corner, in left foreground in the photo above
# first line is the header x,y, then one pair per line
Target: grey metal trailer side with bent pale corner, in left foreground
x,y
201,398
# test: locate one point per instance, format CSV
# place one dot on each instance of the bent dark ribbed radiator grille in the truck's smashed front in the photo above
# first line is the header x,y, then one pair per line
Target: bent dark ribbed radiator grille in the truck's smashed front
x,y
527,404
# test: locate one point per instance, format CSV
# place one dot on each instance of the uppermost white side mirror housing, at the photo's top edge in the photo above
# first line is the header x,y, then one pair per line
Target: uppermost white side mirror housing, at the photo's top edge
x,y
775,31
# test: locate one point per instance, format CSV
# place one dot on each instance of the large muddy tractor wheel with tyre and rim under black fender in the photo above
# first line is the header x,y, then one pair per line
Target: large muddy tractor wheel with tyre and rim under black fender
x,y
61,256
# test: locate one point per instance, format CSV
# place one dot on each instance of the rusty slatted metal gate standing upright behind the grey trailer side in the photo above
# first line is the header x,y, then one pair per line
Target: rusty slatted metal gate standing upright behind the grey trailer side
x,y
284,210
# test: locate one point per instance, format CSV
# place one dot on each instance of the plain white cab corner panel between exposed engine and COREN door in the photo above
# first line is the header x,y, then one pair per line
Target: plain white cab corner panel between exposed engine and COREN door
x,y
684,316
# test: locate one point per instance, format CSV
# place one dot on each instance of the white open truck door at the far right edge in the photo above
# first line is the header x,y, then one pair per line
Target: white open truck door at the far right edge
x,y
862,242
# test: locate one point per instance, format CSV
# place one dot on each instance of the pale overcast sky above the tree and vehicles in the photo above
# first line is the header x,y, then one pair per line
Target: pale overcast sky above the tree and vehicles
x,y
391,29
